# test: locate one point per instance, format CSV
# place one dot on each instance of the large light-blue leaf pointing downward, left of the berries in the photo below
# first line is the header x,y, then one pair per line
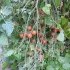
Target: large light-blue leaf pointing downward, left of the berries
x,y
9,27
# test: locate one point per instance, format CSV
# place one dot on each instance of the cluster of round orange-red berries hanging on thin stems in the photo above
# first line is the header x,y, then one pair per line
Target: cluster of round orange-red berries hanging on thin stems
x,y
35,34
